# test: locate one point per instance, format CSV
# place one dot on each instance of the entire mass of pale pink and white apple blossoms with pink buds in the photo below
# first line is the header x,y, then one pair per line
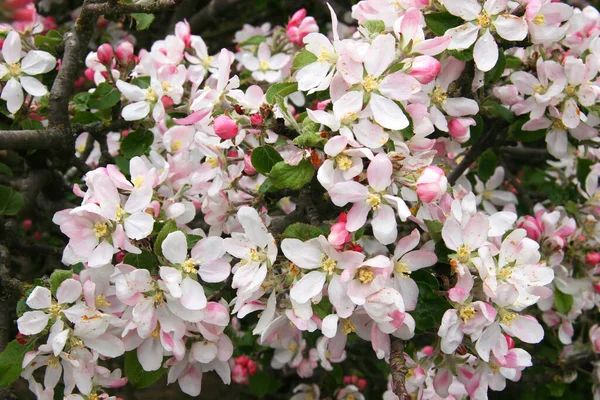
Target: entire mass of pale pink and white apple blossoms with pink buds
x,y
223,148
